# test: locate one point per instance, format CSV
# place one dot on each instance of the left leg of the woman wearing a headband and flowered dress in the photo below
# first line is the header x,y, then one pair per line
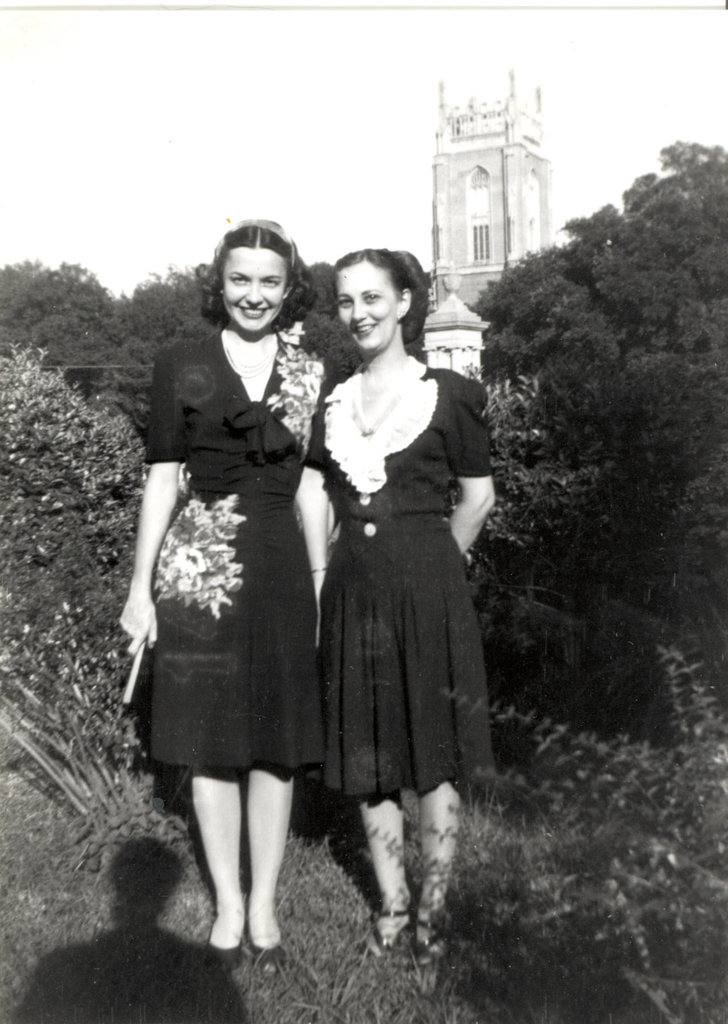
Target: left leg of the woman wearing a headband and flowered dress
x,y
218,806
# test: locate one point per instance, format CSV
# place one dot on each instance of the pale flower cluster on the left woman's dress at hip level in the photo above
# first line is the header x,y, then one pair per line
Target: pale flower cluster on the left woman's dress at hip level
x,y
197,566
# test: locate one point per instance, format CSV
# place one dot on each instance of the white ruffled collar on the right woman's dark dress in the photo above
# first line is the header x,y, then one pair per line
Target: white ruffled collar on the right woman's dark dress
x,y
362,458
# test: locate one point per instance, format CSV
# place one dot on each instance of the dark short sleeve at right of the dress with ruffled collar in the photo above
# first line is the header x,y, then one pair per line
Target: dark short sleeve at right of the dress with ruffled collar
x,y
467,439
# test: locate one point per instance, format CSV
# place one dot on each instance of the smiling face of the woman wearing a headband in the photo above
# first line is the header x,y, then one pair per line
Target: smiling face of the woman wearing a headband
x,y
254,287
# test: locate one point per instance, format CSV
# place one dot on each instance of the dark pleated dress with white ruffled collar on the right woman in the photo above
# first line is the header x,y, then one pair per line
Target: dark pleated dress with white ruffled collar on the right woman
x,y
406,701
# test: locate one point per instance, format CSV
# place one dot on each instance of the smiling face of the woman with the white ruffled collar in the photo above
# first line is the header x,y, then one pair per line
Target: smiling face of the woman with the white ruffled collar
x,y
371,307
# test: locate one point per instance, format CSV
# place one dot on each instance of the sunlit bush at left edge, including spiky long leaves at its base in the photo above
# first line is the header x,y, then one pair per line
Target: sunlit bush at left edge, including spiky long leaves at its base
x,y
70,482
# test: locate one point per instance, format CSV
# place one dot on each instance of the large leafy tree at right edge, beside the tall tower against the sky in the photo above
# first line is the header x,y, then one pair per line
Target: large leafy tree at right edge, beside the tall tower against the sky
x,y
656,275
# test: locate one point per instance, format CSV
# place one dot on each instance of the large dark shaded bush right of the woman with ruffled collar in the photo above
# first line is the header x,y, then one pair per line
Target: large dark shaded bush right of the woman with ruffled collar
x,y
606,542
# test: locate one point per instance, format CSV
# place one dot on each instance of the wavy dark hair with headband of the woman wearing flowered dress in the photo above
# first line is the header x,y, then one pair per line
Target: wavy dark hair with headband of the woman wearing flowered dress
x,y
255,235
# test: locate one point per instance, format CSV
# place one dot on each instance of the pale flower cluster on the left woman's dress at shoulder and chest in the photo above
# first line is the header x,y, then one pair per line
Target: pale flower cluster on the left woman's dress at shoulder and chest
x,y
302,375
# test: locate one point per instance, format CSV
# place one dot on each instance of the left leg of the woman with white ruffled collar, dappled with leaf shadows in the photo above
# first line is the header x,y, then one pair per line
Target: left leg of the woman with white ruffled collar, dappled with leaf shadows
x,y
384,826
